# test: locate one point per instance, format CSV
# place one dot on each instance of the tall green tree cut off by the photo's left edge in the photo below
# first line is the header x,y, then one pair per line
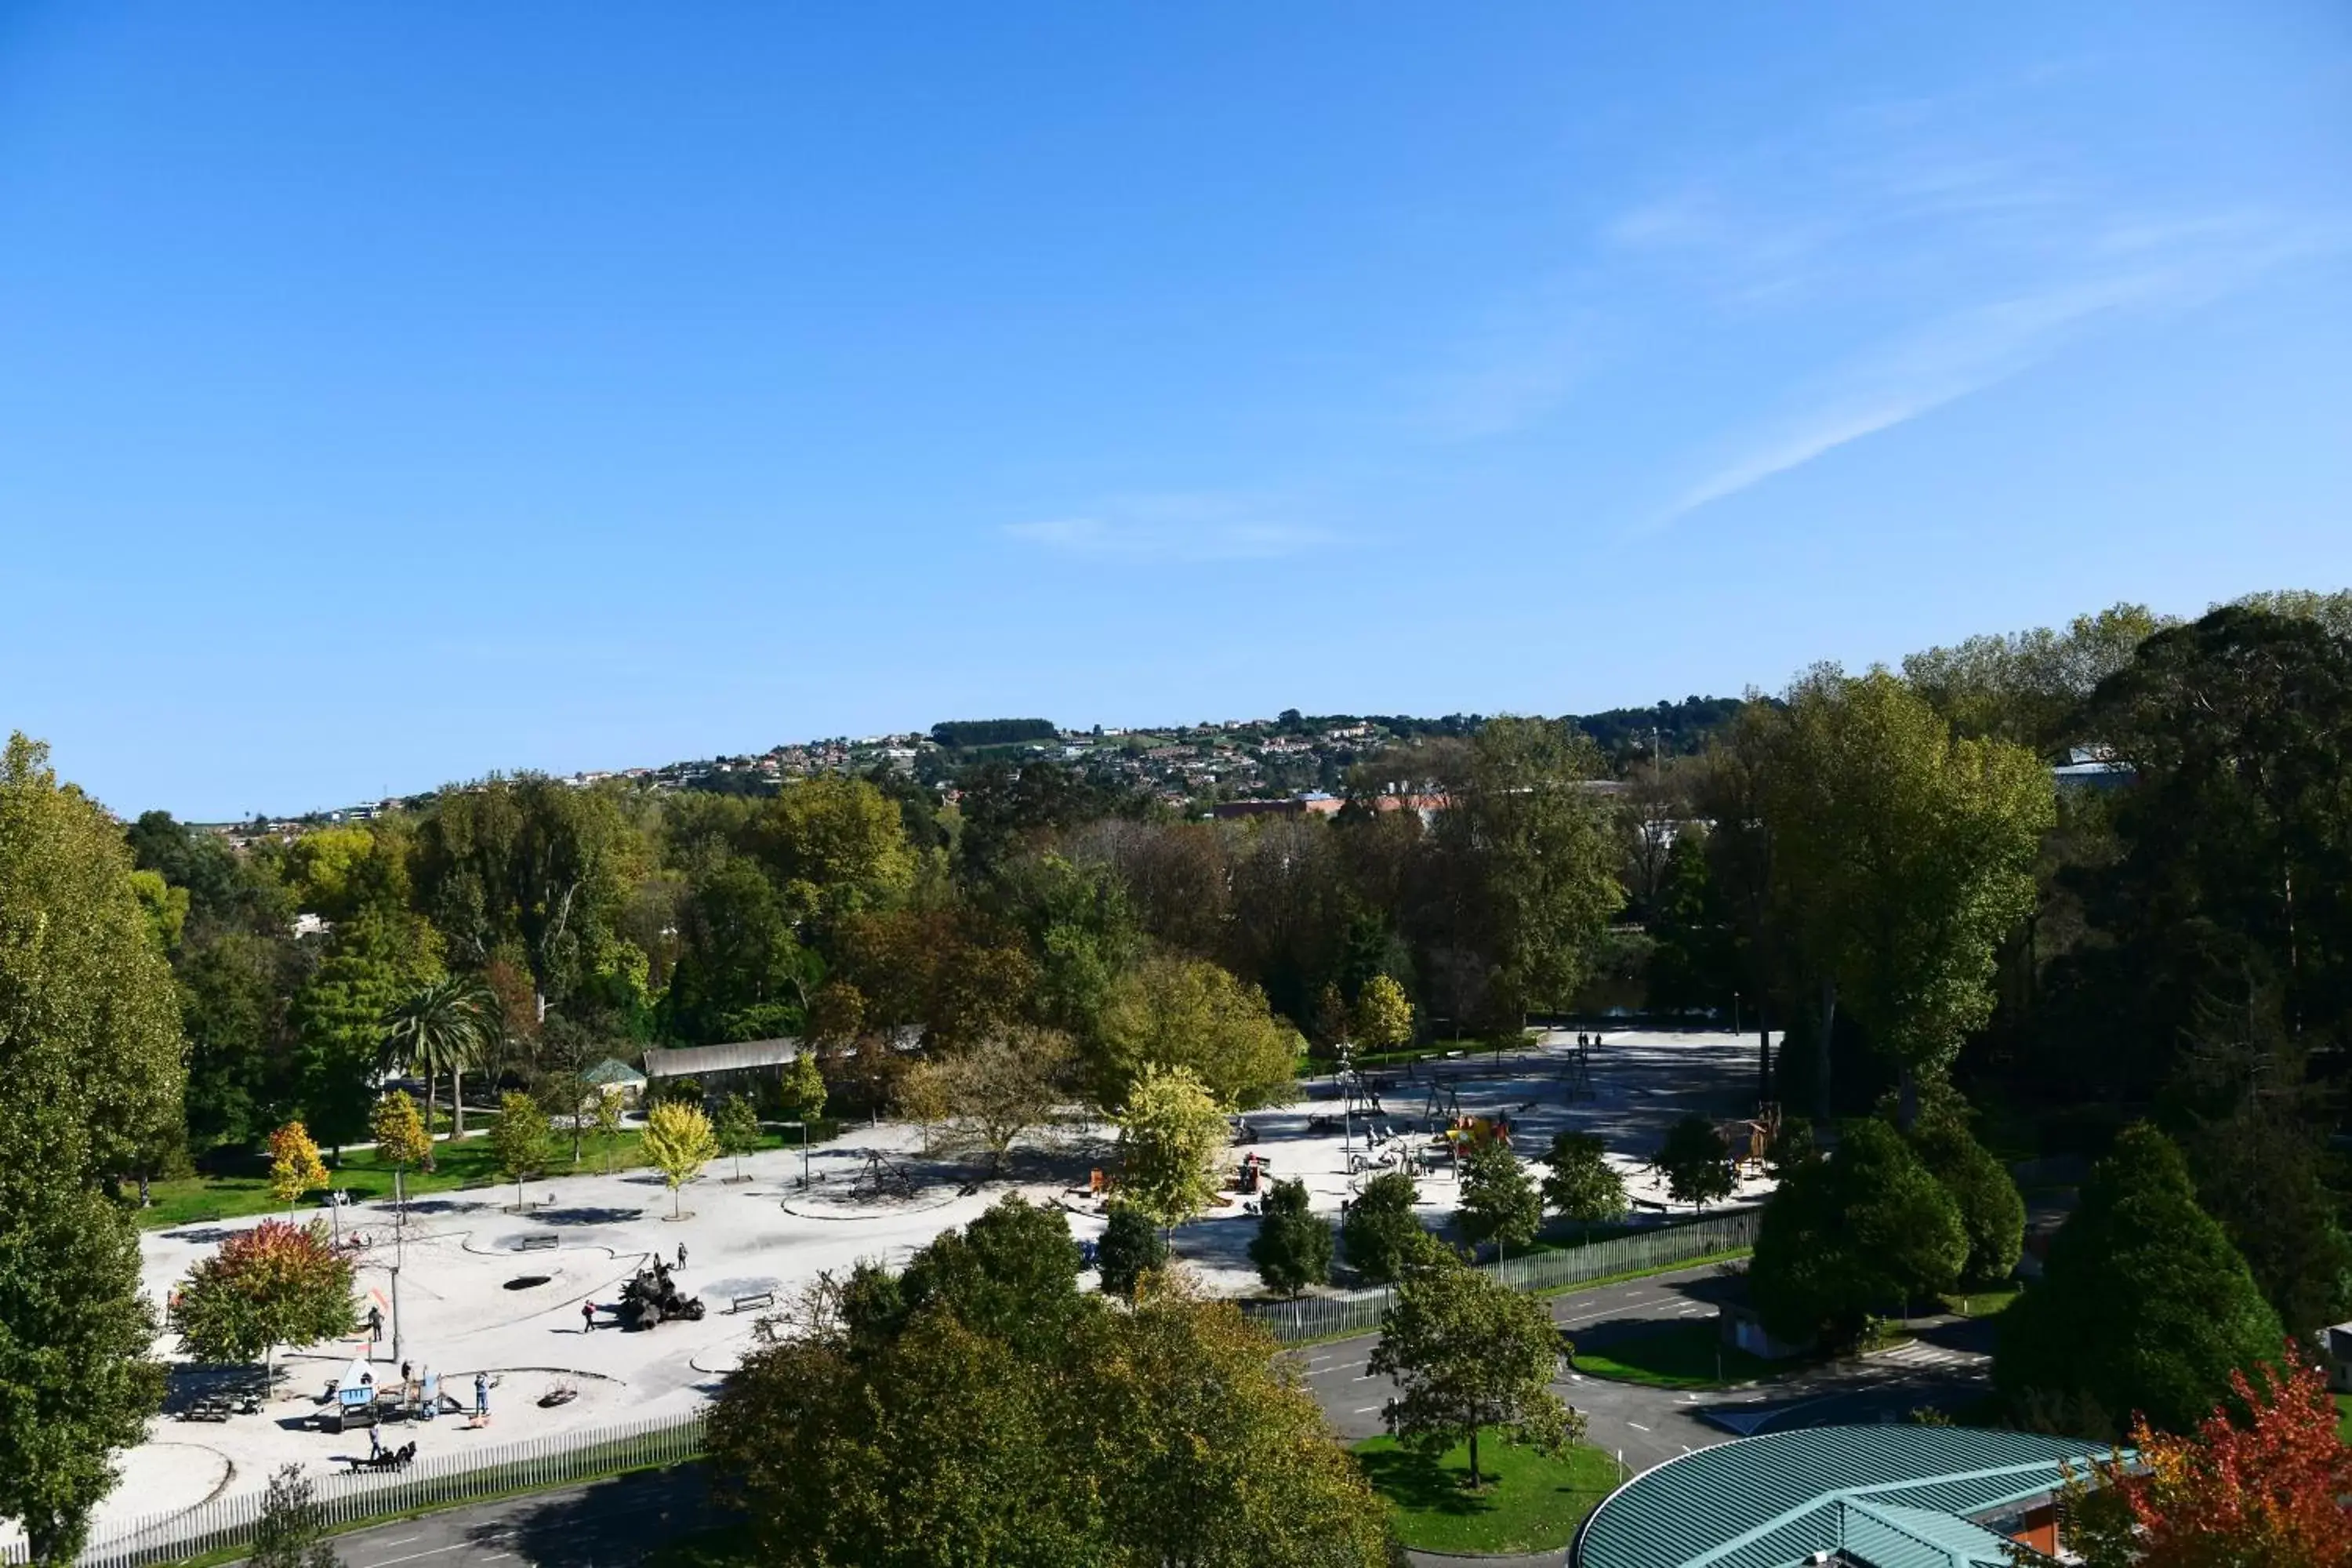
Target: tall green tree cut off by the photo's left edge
x,y
91,1073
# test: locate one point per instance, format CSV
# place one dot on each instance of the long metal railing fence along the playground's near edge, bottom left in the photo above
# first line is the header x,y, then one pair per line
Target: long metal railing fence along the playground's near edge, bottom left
x,y
429,1482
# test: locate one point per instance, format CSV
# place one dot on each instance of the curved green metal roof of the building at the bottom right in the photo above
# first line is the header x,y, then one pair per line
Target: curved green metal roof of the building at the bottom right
x,y
1840,1499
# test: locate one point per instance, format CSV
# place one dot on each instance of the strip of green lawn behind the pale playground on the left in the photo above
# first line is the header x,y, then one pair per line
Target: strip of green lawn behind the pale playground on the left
x,y
472,1162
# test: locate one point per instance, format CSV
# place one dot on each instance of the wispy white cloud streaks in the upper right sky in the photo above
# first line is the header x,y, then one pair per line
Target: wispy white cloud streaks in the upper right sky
x,y
1932,255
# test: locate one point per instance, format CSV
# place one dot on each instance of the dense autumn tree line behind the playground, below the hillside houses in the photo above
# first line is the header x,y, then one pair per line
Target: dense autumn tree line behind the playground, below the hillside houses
x,y
1024,904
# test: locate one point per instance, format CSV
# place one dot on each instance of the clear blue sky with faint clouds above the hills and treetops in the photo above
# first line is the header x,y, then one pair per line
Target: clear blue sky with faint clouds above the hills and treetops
x,y
399,394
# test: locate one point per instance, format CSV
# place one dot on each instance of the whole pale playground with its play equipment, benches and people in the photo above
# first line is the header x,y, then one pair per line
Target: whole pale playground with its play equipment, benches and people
x,y
570,1327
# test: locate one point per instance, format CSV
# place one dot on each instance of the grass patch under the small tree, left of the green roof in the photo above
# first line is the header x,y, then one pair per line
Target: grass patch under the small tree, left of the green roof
x,y
1528,1501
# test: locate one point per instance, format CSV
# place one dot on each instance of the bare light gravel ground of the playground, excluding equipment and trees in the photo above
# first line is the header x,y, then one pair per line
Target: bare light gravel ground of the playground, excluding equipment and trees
x,y
742,1238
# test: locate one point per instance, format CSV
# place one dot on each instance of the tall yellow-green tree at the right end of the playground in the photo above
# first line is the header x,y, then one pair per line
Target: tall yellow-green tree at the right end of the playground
x,y
1906,855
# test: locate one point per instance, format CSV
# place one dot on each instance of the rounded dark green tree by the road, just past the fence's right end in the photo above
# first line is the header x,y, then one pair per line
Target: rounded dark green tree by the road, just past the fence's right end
x,y
1855,1235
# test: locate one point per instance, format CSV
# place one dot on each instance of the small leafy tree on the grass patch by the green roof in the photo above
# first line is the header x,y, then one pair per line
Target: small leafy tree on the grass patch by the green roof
x,y
1469,1353
